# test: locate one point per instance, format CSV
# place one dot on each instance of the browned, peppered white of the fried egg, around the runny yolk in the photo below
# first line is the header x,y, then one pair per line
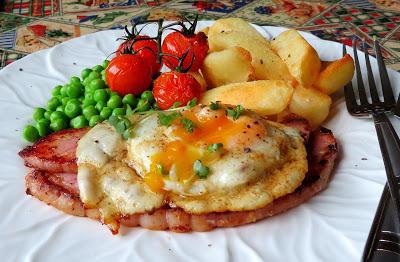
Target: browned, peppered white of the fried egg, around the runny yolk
x,y
258,165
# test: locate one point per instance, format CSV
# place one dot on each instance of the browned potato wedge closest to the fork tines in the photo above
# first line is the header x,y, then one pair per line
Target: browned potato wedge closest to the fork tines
x,y
336,75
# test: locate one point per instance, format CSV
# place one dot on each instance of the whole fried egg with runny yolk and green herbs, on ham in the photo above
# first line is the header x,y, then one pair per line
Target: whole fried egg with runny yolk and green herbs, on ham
x,y
198,159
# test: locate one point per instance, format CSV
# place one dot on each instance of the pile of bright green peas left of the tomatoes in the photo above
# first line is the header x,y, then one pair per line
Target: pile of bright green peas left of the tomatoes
x,y
84,102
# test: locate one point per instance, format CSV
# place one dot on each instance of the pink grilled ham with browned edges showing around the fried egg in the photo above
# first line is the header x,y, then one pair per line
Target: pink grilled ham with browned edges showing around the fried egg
x,y
60,189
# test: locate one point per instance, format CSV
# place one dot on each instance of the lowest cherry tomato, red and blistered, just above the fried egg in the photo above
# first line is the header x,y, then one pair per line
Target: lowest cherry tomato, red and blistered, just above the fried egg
x,y
173,87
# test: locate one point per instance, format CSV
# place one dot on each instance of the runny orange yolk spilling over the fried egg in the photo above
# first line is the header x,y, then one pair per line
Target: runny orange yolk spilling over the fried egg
x,y
178,157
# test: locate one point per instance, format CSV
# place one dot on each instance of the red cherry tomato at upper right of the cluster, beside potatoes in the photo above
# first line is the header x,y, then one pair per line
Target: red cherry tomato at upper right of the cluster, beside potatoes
x,y
177,44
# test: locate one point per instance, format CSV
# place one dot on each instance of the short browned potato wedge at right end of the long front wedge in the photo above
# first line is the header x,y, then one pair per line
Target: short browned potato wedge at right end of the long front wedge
x,y
311,104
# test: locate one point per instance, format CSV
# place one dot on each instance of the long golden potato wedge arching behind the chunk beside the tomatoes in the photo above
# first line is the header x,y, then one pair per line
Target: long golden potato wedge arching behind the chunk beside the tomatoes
x,y
267,64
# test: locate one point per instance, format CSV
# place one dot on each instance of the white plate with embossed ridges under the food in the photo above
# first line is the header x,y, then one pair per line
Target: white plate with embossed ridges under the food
x,y
333,226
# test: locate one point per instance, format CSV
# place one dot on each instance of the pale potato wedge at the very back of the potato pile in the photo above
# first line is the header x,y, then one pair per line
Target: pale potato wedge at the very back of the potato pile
x,y
235,24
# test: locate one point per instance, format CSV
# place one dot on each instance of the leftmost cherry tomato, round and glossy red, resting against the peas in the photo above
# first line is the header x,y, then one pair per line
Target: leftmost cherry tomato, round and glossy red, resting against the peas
x,y
128,74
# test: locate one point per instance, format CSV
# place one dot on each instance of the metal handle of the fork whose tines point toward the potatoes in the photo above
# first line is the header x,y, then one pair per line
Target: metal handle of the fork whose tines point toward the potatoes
x,y
389,143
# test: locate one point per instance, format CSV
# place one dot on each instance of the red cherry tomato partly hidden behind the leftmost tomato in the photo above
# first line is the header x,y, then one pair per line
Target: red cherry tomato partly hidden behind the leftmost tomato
x,y
147,49
